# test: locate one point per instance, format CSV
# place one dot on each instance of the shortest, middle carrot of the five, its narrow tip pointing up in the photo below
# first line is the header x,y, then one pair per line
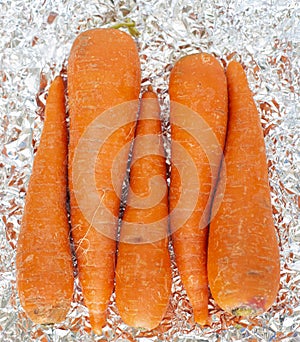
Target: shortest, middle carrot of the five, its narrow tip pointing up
x,y
143,273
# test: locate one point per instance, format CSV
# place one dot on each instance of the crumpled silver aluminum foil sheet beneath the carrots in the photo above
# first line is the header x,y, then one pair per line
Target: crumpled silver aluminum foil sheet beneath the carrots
x,y
35,40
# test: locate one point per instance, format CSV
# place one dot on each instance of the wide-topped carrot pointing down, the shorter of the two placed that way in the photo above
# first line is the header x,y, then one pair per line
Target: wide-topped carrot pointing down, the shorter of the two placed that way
x,y
198,94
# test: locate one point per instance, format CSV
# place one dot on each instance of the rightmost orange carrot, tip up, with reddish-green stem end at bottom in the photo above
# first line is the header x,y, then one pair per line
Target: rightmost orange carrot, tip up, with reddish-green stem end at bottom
x,y
243,256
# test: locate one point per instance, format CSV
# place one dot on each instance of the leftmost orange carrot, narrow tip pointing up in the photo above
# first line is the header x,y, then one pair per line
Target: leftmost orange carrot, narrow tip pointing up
x,y
44,263
